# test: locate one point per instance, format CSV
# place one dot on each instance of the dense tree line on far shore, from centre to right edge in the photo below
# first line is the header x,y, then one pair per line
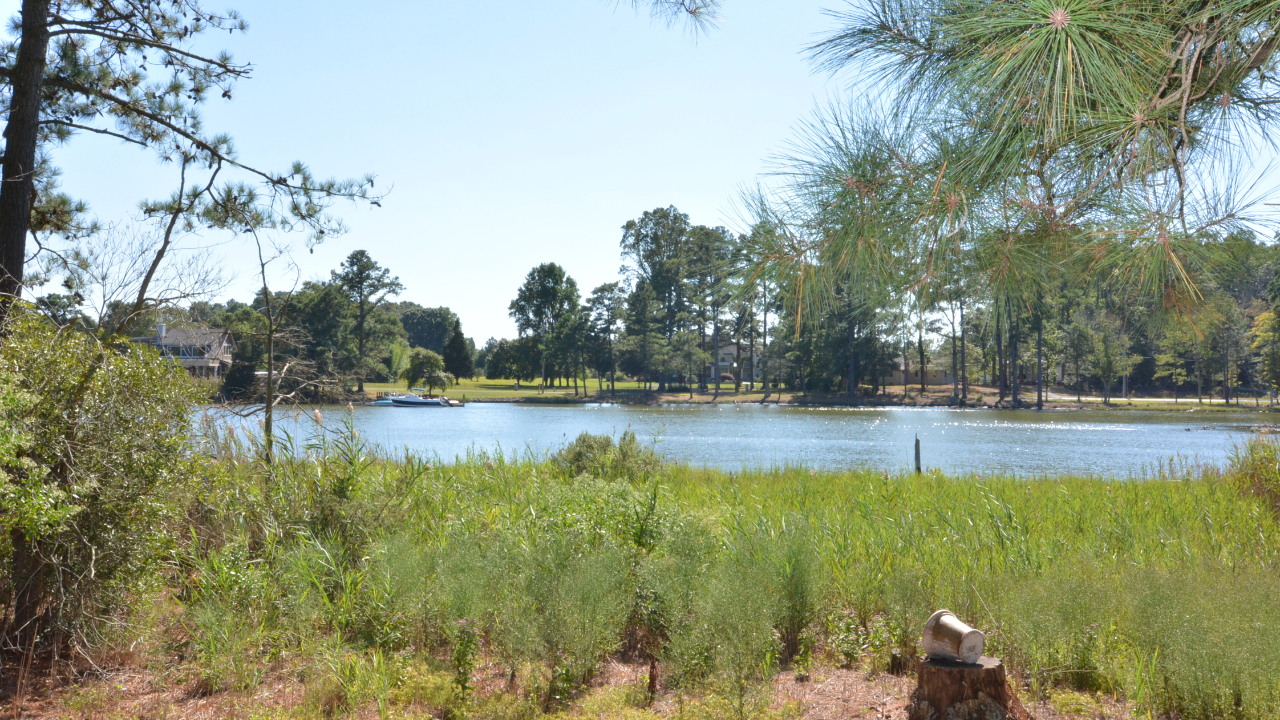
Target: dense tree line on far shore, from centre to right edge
x,y
689,290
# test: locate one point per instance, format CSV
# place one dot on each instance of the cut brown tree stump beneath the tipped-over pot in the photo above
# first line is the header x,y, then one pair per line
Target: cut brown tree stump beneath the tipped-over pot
x,y
959,691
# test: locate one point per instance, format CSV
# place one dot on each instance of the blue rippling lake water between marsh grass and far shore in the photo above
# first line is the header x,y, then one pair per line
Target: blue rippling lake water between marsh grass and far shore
x,y
1100,443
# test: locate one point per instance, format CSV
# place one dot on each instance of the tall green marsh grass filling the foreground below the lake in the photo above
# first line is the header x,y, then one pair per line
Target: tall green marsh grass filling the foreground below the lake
x,y
382,567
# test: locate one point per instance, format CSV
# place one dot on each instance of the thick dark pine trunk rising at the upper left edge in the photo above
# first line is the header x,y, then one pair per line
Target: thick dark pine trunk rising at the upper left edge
x,y
17,192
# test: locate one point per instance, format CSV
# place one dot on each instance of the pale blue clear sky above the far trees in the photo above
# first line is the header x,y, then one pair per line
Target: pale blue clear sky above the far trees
x,y
513,133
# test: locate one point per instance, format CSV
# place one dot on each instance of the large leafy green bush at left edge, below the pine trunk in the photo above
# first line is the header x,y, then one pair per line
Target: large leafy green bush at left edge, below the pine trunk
x,y
95,452
